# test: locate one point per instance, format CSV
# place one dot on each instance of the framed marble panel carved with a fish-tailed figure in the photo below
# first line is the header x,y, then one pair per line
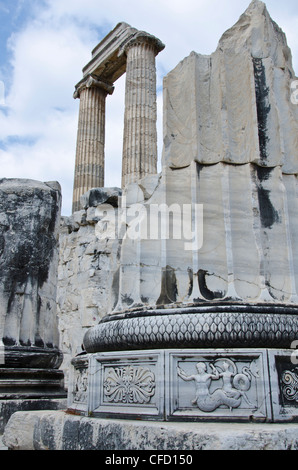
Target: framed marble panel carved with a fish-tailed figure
x,y
218,384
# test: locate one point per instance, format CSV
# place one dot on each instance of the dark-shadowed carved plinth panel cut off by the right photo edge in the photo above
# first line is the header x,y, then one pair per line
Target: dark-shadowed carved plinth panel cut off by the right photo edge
x,y
283,367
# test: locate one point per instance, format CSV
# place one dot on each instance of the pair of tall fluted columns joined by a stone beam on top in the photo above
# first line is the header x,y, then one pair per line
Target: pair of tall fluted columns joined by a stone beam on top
x,y
128,50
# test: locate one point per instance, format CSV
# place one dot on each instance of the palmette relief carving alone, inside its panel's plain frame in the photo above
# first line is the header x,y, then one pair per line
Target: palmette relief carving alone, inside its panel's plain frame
x,y
129,385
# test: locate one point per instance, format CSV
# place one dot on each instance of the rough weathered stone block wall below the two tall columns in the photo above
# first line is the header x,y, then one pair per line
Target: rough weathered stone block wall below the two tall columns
x,y
85,273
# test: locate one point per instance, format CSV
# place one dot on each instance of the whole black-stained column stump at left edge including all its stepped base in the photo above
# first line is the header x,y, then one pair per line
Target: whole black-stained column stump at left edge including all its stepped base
x,y
30,359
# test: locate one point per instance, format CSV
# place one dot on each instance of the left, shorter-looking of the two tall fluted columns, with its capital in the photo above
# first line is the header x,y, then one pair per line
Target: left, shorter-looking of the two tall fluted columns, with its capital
x,y
89,167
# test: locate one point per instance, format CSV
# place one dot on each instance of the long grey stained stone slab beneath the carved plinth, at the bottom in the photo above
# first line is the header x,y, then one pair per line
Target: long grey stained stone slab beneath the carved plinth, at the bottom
x,y
57,430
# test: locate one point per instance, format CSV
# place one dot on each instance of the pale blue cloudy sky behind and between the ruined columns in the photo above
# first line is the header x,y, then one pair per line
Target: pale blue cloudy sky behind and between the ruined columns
x,y
44,45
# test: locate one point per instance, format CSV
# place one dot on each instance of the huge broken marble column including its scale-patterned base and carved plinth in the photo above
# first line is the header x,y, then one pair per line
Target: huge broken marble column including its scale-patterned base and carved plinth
x,y
230,149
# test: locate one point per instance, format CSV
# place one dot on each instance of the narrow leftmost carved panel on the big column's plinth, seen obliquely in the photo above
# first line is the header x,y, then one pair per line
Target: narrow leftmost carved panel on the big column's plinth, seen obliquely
x,y
78,389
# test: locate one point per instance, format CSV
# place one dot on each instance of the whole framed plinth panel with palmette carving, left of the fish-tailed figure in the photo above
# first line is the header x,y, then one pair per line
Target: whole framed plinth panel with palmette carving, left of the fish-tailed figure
x,y
129,384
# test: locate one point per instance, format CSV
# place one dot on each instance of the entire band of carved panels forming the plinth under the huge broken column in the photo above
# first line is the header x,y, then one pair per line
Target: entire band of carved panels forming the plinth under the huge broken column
x,y
187,385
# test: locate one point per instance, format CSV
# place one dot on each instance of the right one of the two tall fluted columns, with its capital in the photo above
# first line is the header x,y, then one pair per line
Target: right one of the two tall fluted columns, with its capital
x,y
140,135
